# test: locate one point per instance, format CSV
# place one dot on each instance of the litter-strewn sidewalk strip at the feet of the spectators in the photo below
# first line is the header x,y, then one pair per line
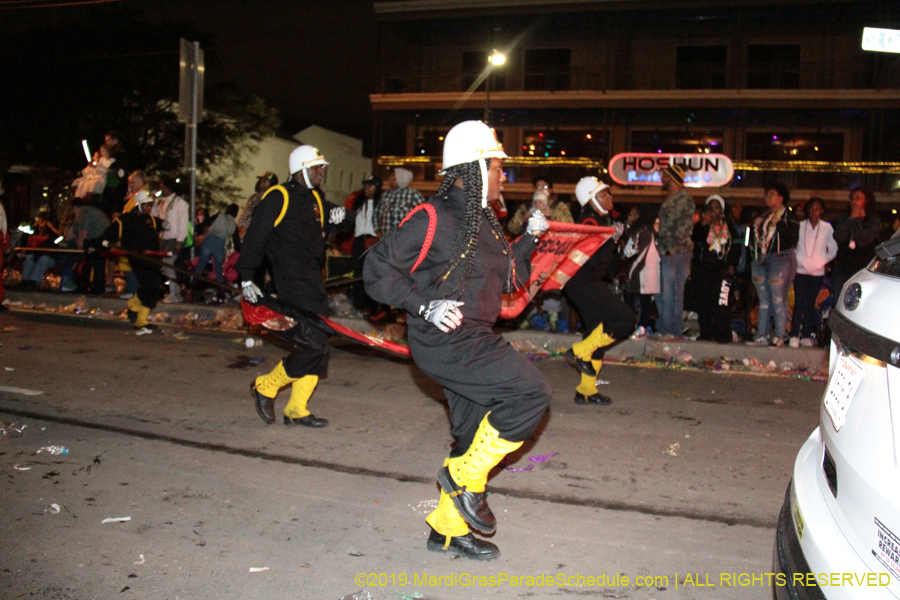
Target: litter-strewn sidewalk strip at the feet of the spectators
x,y
227,317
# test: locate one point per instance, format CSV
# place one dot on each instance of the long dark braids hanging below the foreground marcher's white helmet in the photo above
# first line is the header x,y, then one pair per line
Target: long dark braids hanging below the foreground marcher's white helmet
x,y
466,243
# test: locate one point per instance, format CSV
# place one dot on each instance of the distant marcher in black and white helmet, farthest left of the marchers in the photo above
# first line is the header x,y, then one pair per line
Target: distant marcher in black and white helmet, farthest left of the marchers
x,y
137,231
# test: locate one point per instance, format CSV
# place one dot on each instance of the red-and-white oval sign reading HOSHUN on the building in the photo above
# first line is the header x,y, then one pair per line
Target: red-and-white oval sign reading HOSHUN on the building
x,y
700,170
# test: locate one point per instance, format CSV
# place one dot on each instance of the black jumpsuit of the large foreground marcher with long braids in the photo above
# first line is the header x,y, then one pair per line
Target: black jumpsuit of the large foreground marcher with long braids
x,y
479,371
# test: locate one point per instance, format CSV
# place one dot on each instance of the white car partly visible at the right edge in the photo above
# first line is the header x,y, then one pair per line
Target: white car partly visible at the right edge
x,y
839,530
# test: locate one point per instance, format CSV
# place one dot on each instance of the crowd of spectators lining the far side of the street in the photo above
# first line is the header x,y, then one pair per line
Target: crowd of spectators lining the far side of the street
x,y
711,271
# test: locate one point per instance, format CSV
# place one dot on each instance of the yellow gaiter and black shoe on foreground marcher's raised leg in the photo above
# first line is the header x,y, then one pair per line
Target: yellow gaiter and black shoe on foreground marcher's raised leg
x,y
465,477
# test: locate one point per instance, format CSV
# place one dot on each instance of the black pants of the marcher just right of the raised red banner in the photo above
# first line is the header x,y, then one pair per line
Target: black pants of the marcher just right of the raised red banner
x,y
597,304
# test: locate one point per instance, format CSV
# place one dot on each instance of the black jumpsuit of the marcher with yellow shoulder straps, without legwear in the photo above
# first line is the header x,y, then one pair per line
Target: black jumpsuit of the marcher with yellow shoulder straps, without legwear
x,y
296,249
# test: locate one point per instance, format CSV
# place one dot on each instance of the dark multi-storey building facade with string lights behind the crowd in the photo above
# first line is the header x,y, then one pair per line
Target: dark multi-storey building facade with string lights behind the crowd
x,y
782,88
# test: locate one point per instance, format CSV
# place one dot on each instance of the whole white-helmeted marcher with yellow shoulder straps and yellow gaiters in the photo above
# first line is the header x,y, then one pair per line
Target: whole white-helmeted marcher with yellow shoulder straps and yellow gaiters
x,y
288,227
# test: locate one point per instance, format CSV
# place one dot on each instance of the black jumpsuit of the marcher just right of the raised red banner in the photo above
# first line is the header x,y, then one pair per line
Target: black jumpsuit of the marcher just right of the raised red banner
x,y
589,291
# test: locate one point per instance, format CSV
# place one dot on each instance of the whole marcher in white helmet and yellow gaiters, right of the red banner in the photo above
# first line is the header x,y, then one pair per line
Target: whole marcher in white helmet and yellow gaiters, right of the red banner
x,y
605,316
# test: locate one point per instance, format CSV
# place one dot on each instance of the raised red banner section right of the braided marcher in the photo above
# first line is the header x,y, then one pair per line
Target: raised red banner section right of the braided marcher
x,y
562,250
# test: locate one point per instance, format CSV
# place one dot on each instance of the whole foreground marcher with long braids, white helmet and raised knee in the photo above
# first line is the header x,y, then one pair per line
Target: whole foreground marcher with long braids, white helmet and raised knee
x,y
448,266
